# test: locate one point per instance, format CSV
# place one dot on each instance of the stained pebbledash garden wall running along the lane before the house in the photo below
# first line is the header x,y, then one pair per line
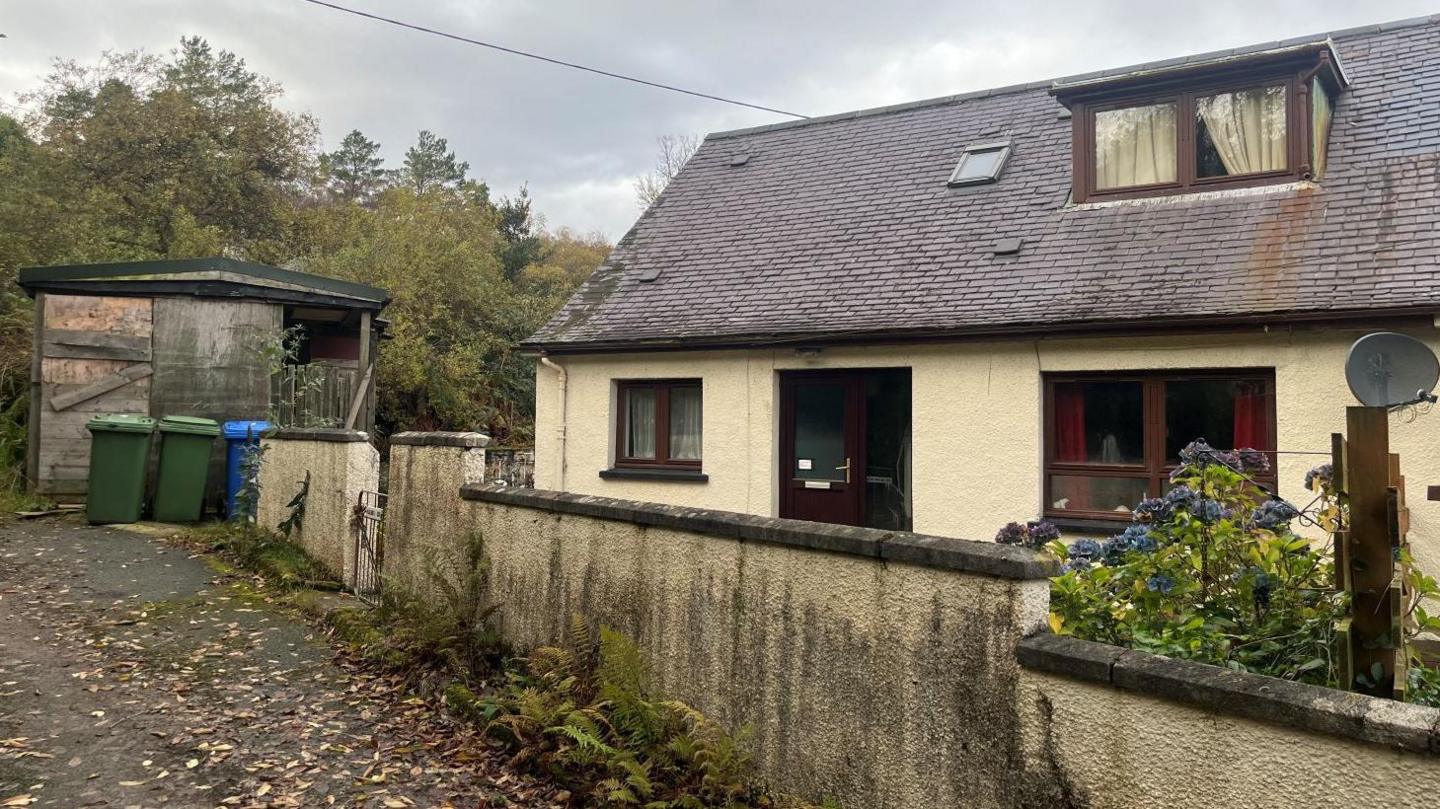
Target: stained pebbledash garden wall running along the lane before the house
x,y
886,670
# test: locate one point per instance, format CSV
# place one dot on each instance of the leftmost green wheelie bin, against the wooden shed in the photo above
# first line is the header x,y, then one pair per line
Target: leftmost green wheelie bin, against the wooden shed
x,y
120,456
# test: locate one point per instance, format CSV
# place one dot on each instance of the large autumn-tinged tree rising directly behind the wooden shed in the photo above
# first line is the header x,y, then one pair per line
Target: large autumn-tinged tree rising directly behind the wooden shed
x,y
176,158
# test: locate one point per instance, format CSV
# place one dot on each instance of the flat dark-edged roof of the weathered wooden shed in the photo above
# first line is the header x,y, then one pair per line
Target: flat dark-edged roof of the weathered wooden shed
x,y
207,279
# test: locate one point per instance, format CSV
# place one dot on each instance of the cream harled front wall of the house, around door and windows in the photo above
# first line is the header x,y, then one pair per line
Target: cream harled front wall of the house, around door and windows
x,y
977,420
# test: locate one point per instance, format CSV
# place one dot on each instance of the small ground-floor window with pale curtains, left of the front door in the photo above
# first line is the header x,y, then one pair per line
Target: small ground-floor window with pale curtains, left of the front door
x,y
660,424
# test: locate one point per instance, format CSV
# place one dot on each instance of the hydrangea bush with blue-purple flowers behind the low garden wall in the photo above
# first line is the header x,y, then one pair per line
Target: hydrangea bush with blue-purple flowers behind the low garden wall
x,y
1210,572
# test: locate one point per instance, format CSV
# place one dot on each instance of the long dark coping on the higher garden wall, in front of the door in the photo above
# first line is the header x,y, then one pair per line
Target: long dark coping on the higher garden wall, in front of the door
x,y
990,559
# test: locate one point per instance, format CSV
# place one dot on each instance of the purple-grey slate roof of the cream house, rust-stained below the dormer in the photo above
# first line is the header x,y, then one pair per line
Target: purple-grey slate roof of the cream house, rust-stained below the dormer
x,y
845,228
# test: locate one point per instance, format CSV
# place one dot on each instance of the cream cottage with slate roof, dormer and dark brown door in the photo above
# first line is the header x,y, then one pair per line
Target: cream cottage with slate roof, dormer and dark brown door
x,y
1019,303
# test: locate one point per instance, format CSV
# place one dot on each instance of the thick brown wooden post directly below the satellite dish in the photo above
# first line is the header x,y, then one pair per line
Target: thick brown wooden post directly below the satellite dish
x,y
1370,552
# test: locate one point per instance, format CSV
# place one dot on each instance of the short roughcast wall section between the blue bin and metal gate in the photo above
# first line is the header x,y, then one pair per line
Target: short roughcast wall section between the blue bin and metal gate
x,y
342,464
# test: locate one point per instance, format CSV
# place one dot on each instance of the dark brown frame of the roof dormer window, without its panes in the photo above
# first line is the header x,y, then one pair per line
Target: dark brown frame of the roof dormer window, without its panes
x,y
1184,87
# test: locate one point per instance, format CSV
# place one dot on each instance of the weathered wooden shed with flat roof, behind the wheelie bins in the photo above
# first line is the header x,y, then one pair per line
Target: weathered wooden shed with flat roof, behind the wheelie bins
x,y
192,338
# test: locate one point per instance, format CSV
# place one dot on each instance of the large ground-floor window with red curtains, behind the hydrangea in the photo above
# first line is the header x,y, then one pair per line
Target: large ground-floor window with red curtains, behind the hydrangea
x,y
1114,440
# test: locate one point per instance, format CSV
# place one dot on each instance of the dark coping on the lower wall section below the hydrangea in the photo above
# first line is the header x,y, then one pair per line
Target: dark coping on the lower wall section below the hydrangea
x,y
1236,693
